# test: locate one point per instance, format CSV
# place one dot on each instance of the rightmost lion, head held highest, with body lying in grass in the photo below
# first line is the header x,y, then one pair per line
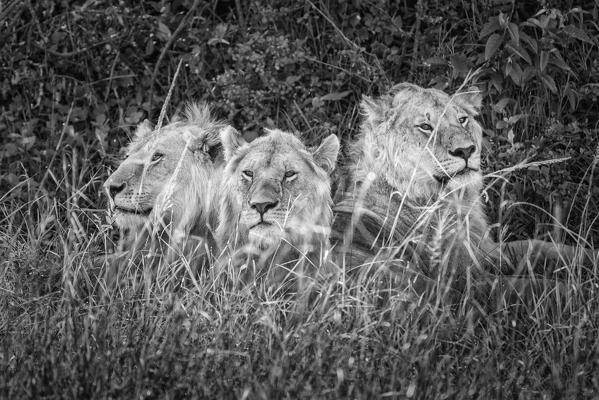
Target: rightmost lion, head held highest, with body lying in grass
x,y
416,174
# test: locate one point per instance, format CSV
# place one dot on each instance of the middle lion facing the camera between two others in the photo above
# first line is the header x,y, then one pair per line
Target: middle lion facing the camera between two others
x,y
276,206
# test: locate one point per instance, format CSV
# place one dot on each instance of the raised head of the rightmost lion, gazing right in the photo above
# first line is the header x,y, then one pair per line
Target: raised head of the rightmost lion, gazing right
x,y
423,140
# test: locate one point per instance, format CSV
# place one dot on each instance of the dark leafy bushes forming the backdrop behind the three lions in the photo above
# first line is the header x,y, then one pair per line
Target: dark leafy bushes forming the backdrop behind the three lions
x,y
78,76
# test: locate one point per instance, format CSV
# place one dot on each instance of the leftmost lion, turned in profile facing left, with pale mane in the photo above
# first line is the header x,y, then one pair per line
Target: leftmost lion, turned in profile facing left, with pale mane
x,y
167,191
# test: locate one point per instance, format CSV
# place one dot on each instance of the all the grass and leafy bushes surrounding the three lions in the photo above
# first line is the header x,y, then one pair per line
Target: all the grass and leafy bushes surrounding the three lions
x,y
76,77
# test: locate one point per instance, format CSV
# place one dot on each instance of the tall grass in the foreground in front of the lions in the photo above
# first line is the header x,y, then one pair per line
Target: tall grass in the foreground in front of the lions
x,y
76,325
